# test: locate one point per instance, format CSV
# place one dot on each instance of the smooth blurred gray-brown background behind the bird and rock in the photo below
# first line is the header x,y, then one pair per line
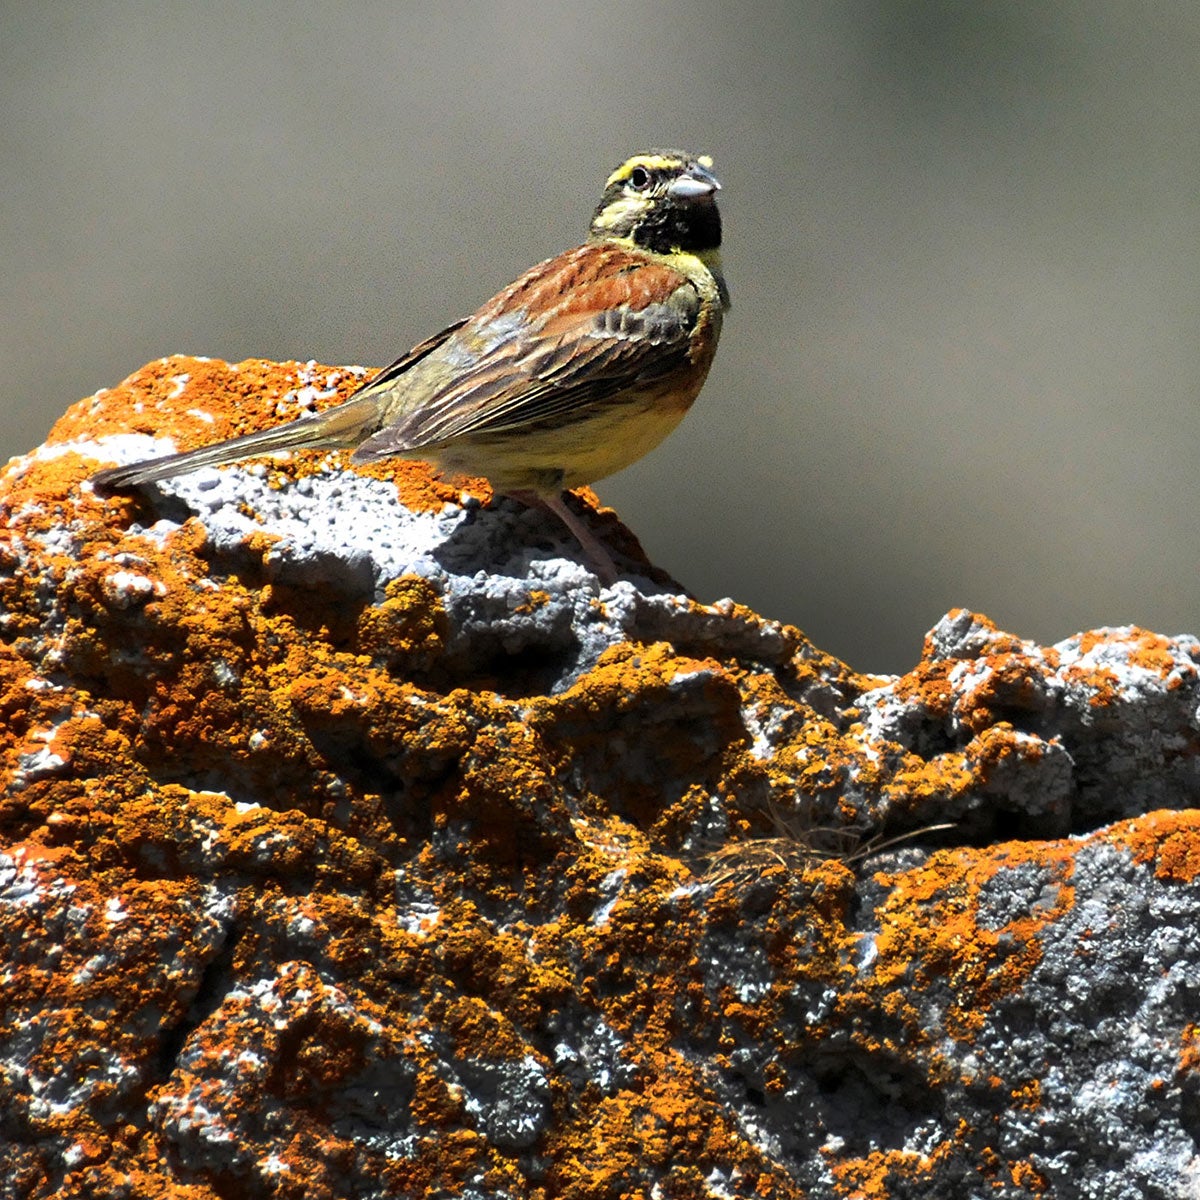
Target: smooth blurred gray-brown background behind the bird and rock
x,y
962,239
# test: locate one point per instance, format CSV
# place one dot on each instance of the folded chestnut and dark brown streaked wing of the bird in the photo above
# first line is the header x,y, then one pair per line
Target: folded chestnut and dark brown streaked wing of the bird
x,y
572,333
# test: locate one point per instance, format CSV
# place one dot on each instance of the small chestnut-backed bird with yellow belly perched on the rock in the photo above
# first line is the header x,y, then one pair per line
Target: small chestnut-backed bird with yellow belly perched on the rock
x,y
571,374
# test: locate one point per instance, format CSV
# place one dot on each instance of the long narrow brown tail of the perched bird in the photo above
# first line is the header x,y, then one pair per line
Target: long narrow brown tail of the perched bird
x,y
345,425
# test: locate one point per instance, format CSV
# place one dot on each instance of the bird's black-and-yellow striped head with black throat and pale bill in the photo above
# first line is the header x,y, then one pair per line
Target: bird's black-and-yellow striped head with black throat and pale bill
x,y
663,201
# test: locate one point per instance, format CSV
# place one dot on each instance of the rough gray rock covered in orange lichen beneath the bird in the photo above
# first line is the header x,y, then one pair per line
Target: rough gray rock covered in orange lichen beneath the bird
x,y
355,843
